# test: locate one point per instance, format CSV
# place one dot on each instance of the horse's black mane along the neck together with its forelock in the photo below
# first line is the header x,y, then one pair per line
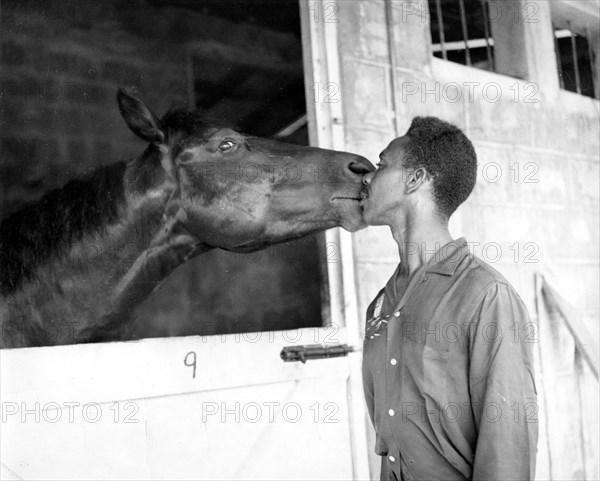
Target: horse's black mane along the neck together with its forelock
x,y
36,233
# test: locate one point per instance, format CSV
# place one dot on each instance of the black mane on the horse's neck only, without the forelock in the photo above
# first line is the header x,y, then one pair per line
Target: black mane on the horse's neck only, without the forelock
x,y
34,234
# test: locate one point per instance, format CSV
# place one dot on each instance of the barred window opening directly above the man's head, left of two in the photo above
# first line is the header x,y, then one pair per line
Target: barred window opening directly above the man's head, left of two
x,y
460,32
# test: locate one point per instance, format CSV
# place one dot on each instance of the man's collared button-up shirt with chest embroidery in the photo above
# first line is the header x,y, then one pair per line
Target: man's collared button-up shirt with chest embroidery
x,y
448,373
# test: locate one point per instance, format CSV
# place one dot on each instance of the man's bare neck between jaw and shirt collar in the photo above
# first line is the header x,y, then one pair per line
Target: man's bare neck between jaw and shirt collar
x,y
418,240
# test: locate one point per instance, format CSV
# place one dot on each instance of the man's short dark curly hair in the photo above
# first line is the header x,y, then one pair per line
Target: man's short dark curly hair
x,y
448,156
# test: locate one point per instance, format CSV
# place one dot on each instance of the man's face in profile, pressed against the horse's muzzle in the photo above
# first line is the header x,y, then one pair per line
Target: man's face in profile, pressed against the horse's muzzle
x,y
383,195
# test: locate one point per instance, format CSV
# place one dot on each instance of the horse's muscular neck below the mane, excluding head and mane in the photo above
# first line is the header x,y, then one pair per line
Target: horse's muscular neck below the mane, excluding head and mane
x,y
92,293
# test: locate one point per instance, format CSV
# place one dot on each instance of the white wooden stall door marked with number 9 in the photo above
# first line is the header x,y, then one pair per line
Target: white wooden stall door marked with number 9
x,y
222,407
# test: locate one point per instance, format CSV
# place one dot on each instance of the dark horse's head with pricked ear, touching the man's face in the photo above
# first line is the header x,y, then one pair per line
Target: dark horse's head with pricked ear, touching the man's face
x,y
239,192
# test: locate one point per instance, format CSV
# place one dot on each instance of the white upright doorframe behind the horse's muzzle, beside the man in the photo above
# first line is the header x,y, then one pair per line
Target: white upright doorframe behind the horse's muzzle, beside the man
x,y
326,129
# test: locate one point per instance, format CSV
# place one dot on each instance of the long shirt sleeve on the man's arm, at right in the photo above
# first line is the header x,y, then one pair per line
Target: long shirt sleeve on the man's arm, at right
x,y
502,387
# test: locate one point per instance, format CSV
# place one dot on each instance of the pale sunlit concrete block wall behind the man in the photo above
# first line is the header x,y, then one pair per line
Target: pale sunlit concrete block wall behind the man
x,y
535,207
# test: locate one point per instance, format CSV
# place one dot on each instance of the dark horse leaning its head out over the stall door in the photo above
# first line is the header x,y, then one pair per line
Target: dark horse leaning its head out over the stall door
x,y
77,264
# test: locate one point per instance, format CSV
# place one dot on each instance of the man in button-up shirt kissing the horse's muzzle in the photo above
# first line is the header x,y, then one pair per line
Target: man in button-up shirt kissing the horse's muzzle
x,y
448,374
